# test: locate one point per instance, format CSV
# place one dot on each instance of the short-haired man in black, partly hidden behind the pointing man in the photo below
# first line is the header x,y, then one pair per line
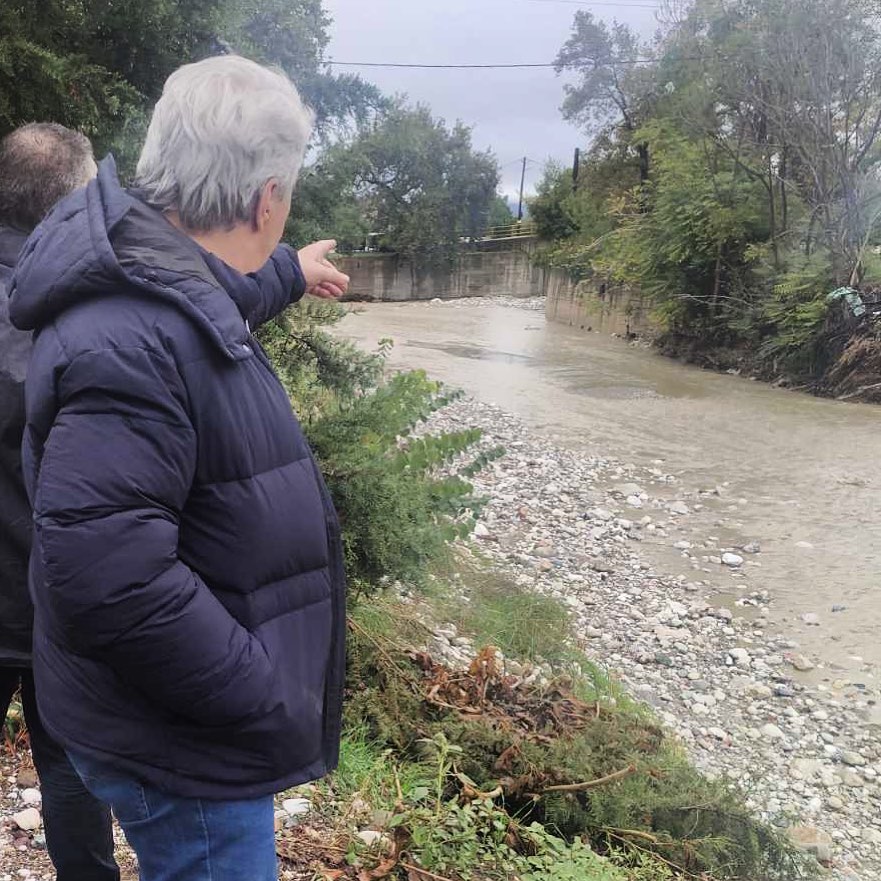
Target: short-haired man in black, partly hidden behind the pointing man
x,y
40,164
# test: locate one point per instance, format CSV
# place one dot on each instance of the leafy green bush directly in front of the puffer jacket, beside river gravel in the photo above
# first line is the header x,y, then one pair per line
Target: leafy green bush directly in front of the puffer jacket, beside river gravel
x,y
402,495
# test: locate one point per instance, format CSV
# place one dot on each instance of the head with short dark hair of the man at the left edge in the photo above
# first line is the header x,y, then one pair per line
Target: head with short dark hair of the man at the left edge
x,y
40,163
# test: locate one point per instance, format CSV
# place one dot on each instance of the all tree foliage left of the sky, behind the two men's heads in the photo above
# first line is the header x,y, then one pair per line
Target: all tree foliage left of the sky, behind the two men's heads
x,y
377,166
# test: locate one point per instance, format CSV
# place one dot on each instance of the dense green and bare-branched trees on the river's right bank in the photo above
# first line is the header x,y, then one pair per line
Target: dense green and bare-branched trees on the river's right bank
x,y
733,175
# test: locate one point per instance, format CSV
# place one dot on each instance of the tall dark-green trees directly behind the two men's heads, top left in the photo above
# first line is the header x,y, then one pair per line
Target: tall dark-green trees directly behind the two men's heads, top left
x,y
98,65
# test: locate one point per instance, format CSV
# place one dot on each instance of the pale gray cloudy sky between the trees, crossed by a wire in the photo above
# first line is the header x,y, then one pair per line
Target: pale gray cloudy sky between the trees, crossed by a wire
x,y
515,112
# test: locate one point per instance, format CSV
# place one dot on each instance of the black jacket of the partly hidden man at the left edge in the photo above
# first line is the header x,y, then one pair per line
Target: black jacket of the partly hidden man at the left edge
x,y
16,612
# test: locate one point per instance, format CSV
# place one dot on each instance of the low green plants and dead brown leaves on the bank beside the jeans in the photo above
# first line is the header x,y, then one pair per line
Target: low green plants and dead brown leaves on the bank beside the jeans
x,y
573,757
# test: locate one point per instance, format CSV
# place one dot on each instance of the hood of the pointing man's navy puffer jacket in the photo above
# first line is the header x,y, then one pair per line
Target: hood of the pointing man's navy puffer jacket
x,y
103,238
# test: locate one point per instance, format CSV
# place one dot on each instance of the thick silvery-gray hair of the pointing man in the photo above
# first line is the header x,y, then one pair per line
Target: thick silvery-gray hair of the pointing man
x,y
223,128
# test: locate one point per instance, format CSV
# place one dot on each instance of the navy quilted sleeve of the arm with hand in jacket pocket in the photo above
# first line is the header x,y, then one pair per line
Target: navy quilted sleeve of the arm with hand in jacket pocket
x,y
115,475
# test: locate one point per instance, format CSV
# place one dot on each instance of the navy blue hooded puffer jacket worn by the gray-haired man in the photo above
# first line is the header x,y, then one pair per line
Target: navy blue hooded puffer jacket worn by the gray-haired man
x,y
186,571
